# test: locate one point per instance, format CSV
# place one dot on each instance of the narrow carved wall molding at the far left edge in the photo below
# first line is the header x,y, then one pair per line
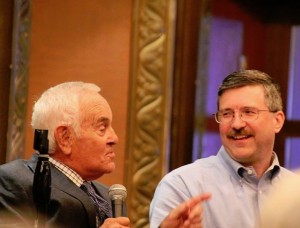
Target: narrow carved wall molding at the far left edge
x,y
19,80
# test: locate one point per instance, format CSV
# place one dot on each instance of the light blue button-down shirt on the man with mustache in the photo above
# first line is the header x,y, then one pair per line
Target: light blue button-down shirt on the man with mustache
x,y
237,194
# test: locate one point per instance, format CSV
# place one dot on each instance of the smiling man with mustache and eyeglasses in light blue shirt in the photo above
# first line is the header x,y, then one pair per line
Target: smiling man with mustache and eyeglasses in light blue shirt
x,y
245,168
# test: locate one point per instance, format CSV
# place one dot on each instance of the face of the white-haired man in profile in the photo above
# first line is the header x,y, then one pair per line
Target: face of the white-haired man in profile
x,y
93,147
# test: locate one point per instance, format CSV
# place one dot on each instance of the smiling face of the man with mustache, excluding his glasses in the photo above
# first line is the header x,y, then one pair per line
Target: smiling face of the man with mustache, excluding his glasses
x,y
250,143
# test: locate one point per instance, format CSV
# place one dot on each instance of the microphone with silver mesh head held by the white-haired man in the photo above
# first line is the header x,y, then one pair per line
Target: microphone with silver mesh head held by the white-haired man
x,y
117,194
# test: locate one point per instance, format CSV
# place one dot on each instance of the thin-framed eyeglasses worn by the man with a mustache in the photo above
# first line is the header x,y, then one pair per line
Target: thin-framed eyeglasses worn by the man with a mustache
x,y
246,114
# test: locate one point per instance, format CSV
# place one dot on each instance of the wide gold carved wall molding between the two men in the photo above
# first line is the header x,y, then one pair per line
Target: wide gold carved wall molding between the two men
x,y
149,103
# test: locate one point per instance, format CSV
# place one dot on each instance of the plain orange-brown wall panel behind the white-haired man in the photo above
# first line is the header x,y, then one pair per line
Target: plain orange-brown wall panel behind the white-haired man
x,y
88,41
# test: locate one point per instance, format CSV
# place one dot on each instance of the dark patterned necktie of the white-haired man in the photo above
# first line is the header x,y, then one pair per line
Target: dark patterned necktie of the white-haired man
x,y
103,209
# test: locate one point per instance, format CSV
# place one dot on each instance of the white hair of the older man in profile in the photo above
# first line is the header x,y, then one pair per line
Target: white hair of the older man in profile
x,y
59,106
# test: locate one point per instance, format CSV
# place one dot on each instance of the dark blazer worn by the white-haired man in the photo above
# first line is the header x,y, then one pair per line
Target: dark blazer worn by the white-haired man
x,y
69,206
